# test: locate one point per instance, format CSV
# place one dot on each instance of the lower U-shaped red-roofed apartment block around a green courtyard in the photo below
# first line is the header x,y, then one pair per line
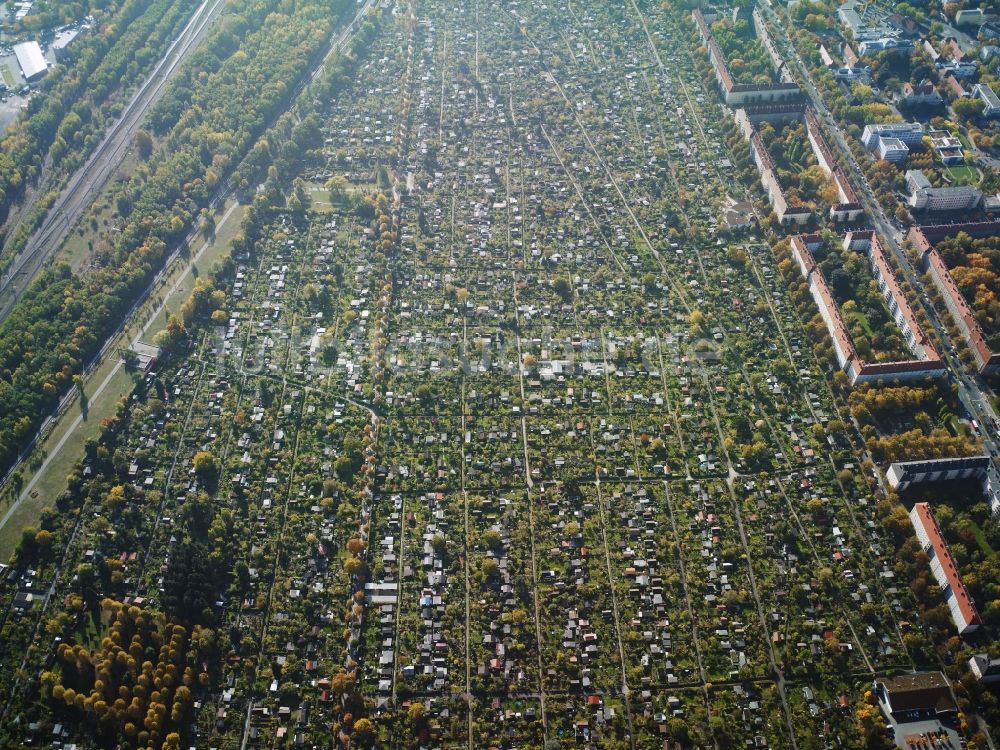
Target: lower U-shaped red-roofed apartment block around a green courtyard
x,y
926,361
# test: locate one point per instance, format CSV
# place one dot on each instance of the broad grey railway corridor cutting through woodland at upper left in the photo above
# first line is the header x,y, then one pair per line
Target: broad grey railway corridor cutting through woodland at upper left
x,y
88,180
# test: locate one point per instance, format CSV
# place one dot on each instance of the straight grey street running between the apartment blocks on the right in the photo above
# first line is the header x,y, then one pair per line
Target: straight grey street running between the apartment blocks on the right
x,y
973,393
